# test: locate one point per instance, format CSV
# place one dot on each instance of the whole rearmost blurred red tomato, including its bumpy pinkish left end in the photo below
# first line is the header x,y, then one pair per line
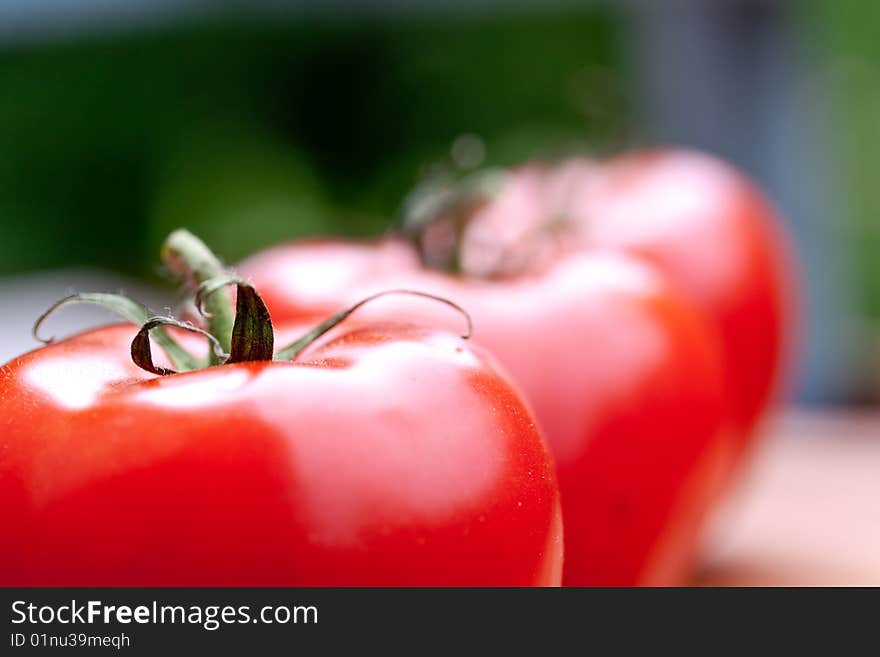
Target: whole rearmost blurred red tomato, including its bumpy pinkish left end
x,y
698,220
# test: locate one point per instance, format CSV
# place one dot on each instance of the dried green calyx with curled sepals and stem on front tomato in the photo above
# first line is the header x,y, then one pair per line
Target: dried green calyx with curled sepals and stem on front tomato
x,y
234,336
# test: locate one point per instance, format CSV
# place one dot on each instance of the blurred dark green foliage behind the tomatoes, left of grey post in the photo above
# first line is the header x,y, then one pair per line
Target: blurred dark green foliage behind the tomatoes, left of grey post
x,y
250,132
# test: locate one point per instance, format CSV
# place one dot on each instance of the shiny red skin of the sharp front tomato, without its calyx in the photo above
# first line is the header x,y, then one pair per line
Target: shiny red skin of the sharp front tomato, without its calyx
x,y
387,455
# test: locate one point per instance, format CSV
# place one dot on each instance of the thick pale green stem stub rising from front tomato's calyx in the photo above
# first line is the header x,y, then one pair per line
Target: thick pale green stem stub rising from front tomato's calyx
x,y
187,256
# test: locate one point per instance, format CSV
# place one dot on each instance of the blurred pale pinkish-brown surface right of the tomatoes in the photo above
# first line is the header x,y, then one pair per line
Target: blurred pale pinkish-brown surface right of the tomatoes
x,y
806,511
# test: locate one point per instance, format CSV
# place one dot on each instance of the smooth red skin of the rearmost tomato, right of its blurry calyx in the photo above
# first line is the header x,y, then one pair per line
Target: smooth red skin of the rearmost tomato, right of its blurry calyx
x,y
708,228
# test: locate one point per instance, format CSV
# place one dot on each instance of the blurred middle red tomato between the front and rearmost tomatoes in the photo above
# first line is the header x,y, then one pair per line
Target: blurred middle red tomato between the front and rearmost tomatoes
x,y
622,375
